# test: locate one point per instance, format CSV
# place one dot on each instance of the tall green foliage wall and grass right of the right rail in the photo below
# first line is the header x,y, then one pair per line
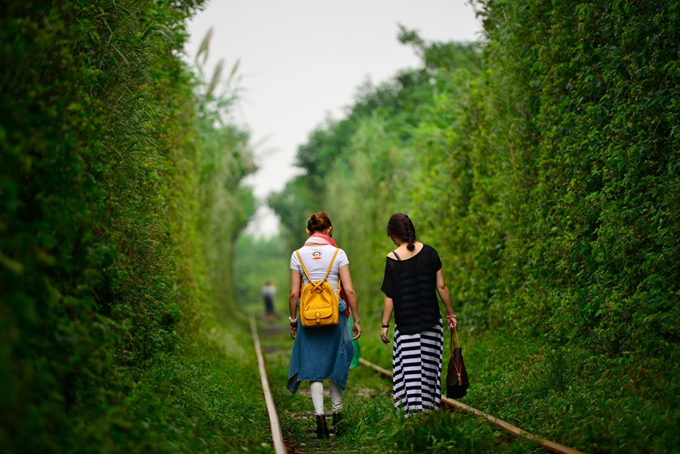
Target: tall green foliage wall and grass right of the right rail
x,y
545,170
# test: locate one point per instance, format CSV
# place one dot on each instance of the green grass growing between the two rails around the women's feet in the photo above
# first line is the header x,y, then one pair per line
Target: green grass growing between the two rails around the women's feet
x,y
372,421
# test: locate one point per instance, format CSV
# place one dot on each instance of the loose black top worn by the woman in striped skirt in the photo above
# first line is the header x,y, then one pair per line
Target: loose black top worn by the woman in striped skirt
x,y
412,285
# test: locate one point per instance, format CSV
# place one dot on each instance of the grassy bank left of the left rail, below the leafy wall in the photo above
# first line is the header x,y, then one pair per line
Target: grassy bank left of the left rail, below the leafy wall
x,y
201,398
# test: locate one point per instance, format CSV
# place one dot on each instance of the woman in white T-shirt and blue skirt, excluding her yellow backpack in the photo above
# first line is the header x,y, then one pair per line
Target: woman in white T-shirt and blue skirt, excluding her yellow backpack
x,y
325,352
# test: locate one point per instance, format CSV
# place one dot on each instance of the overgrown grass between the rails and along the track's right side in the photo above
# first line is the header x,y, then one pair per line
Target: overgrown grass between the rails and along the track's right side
x,y
561,394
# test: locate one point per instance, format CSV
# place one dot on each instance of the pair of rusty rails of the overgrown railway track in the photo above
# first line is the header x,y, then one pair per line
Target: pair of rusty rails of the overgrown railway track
x,y
311,447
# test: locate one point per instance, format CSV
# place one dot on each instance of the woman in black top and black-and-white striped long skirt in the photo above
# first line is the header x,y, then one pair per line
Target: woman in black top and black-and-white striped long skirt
x,y
413,277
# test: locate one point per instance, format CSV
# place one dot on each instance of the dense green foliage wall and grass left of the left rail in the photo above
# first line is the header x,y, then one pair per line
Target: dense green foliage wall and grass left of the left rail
x,y
118,180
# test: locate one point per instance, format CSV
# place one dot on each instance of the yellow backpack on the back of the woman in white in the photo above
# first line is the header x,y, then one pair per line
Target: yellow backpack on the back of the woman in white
x,y
318,302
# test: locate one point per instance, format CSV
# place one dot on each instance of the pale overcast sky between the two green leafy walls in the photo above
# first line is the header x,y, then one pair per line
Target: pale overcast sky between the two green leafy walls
x,y
300,61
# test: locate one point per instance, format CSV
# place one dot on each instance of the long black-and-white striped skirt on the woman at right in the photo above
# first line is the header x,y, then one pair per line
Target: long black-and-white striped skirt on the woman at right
x,y
417,367
